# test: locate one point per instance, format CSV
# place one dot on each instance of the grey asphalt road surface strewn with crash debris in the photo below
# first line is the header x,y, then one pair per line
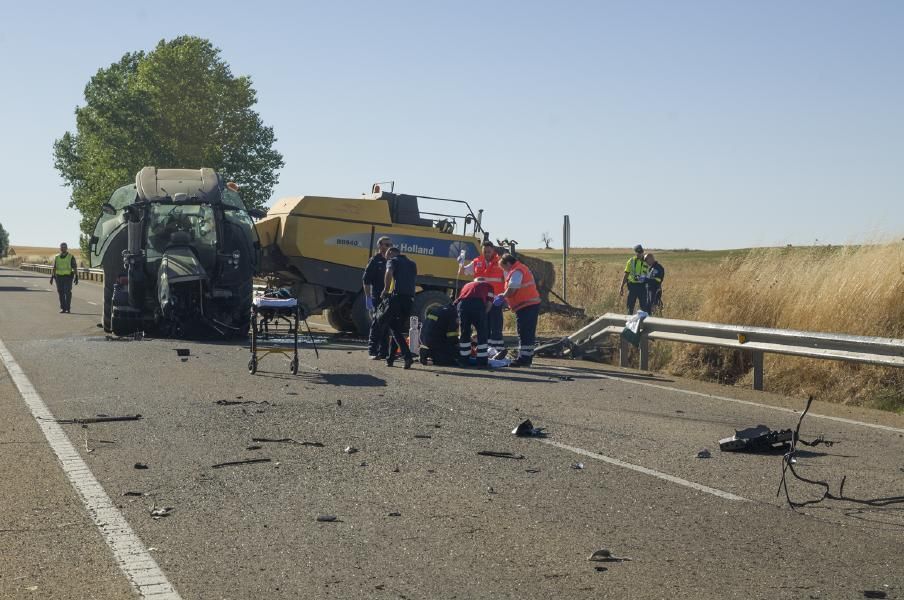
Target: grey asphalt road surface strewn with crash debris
x,y
420,514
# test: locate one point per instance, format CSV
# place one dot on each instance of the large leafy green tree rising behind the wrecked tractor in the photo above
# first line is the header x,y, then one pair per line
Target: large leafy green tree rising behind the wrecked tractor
x,y
177,106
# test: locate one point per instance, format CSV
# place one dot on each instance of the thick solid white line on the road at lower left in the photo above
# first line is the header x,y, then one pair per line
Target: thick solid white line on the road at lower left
x,y
130,554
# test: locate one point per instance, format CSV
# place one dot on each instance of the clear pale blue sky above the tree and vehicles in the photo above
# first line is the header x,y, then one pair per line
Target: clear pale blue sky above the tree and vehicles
x,y
693,124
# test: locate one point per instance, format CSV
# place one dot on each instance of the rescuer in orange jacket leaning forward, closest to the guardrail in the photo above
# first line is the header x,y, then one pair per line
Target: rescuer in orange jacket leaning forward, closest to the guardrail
x,y
522,297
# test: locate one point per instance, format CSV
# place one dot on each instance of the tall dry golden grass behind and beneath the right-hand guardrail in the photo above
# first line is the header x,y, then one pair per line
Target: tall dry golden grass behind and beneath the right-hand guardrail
x,y
843,289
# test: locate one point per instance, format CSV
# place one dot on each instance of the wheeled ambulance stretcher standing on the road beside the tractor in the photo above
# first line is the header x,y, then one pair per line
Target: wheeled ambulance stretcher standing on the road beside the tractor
x,y
274,320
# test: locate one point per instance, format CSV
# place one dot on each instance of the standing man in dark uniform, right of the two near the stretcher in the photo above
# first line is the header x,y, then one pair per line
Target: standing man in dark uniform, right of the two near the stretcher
x,y
399,286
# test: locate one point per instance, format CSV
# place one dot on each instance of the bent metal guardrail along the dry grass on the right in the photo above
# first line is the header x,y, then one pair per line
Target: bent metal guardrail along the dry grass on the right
x,y
757,341
